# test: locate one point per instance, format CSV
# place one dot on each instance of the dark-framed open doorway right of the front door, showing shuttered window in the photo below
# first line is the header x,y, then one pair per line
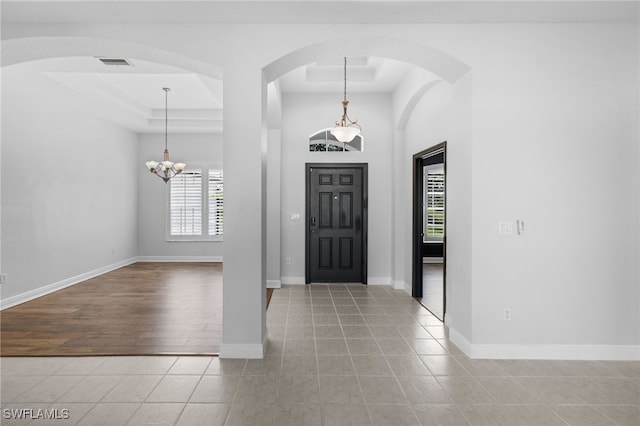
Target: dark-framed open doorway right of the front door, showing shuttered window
x,y
429,229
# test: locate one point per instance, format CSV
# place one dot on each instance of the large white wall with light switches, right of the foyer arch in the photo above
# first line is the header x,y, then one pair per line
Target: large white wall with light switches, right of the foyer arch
x,y
555,144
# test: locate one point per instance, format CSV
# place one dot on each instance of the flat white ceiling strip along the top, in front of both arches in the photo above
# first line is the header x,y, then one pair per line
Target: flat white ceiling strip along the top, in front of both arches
x,y
316,11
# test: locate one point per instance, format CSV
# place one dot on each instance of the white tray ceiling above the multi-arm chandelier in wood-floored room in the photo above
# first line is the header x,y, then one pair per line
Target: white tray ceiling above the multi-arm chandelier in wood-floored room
x,y
133,96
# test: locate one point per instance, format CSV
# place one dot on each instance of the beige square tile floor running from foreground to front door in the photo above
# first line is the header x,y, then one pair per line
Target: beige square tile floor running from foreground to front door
x,y
337,355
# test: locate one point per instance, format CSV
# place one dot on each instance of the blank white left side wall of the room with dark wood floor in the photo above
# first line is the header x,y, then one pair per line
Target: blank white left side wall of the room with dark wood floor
x,y
69,187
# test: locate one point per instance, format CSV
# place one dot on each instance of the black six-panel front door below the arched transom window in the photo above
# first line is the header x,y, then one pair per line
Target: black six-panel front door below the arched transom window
x,y
336,223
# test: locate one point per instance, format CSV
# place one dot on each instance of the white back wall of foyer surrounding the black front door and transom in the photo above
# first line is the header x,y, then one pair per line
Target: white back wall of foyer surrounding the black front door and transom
x,y
305,114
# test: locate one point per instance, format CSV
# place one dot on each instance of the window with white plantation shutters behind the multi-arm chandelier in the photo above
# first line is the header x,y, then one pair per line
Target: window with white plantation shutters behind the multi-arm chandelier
x,y
196,205
